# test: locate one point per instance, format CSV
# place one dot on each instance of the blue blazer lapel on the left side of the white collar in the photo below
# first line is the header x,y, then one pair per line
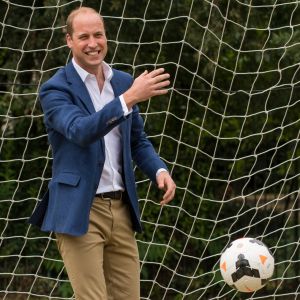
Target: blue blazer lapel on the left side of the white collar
x,y
79,87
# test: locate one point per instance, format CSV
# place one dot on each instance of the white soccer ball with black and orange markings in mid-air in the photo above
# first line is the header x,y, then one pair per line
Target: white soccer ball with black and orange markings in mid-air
x,y
247,264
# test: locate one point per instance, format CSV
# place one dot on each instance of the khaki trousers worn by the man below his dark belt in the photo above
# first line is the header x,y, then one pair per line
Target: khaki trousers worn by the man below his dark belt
x,y
103,264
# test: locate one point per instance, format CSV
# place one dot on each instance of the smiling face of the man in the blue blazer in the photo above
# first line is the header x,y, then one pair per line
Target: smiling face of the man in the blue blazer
x,y
88,41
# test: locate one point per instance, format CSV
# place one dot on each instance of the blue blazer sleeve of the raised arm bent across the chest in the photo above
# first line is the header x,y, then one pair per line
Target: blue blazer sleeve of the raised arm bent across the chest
x,y
65,113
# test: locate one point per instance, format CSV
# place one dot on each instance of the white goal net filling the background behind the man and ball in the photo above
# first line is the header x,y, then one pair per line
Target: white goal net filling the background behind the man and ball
x,y
228,131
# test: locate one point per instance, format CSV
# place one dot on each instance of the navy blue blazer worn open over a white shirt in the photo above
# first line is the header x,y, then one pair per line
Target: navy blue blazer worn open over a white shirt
x,y
75,132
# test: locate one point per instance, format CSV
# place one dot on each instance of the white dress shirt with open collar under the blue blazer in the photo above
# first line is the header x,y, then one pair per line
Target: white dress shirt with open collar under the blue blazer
x,y
111,177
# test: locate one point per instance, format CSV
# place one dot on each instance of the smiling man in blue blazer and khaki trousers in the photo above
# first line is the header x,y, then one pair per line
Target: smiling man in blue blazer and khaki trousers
x,y
95,131
